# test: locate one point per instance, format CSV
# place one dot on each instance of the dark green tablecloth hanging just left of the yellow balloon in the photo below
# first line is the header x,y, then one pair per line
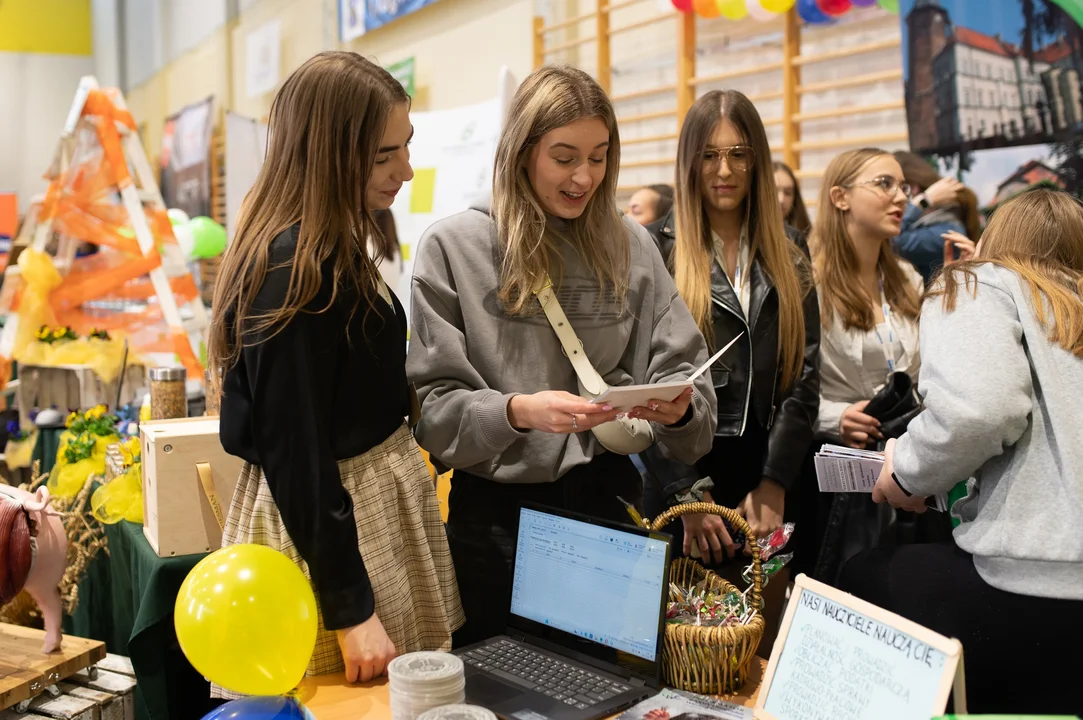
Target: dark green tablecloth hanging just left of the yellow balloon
x,y
127,601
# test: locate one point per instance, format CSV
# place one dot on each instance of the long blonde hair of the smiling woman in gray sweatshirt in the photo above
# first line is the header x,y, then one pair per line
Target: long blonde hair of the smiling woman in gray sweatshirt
x,y
552,98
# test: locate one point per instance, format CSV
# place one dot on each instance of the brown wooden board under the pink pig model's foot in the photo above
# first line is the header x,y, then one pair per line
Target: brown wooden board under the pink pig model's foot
x,y
25,672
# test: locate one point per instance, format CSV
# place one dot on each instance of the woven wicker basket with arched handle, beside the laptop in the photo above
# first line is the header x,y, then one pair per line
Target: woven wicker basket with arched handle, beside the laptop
x,y
711,661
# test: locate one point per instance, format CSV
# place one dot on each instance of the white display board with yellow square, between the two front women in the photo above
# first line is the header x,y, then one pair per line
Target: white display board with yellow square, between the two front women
x,y
452,156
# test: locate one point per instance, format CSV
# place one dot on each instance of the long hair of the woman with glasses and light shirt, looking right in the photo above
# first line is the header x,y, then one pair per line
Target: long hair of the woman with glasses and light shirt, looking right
x,y
837,260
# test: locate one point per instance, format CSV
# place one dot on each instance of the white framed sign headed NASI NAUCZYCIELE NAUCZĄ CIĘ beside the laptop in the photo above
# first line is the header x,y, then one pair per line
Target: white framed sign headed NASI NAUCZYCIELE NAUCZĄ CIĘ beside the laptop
x,y
839,658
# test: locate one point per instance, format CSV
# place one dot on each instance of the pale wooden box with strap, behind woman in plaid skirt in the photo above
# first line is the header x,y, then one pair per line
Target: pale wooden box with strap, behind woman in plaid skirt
x,y
181,459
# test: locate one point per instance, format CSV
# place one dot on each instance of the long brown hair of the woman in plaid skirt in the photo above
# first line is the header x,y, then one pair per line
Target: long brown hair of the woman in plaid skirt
x,y
325,128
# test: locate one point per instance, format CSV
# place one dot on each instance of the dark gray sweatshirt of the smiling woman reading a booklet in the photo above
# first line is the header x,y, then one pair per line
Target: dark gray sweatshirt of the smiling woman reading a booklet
x,y
468,358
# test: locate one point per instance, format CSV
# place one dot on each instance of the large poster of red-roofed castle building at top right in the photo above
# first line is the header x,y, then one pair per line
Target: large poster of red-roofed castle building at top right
x,y
994,94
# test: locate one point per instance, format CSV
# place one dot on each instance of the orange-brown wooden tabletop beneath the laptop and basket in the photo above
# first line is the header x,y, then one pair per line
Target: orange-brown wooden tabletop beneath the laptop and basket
x,y
330,698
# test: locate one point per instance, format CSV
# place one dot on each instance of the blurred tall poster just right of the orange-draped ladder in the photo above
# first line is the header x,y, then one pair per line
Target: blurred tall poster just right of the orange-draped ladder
x,y
186,160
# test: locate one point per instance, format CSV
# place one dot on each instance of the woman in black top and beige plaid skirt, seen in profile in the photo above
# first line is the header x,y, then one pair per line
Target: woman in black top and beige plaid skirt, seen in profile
x,y
312,347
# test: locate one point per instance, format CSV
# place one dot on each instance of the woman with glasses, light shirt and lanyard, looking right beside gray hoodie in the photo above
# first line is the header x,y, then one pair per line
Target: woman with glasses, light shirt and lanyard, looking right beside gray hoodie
x,y
869,307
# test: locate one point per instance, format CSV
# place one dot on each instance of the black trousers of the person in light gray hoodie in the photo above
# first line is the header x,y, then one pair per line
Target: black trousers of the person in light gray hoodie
x,y
1016,649
